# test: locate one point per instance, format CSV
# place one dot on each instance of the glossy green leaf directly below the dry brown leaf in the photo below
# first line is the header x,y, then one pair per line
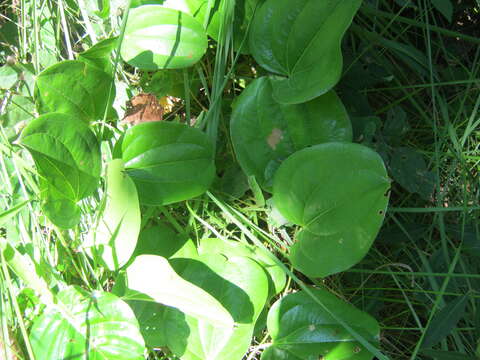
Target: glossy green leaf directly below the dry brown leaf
x,y
169,162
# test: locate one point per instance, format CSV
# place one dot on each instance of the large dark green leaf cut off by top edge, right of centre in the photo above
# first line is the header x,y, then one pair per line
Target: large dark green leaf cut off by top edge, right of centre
x,y
300,41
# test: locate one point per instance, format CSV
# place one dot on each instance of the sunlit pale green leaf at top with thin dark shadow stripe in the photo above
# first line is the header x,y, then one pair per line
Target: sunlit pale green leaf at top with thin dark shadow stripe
x,y
162,38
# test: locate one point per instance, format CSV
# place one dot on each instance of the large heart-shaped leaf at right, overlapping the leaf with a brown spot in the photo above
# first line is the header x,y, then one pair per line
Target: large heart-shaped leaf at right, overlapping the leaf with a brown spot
x,y
339,193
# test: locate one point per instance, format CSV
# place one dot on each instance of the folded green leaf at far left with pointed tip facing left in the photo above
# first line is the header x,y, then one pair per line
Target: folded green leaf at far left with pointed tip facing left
x,y
68,160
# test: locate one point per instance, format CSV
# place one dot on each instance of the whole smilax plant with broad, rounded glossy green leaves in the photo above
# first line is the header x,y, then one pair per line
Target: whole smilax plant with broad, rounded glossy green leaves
x,y
292,138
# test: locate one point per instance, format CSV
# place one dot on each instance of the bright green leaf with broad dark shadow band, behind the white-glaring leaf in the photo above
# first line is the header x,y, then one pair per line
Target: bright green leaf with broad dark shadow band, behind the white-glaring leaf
x,y
241,285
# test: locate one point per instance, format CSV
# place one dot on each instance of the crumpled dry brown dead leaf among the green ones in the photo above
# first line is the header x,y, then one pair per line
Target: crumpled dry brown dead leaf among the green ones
x,y
143,108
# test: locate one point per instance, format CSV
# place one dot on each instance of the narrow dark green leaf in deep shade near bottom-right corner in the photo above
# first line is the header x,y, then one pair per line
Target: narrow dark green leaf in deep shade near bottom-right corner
x,y
445,321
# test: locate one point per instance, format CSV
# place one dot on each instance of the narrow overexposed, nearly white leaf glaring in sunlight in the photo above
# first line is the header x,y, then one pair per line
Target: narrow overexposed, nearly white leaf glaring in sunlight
x,y
170,289
